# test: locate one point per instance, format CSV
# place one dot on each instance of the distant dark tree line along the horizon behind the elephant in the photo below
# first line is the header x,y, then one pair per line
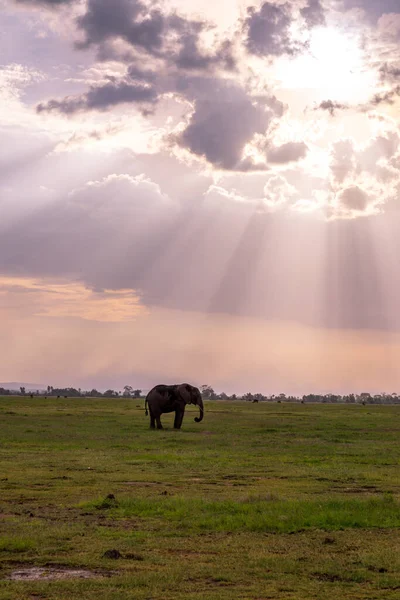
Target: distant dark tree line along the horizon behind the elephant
x,y
208,393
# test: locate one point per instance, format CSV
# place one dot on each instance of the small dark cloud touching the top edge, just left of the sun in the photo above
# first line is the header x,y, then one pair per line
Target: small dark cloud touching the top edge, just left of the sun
x,y
268,30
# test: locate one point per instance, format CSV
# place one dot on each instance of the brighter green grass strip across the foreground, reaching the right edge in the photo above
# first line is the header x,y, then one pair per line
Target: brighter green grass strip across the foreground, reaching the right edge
x,y
196,515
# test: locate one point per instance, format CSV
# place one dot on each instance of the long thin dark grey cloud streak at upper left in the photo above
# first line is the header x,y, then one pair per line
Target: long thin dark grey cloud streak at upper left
x,y
101,98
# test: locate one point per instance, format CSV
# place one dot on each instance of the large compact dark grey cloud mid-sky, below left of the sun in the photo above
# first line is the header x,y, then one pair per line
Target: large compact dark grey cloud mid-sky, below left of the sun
x,y
225,119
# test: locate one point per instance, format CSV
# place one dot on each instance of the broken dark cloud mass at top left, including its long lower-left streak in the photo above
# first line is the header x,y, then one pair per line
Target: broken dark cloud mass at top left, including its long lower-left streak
x,y
166,42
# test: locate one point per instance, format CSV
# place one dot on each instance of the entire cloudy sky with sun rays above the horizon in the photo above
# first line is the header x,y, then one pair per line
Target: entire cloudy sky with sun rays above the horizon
x,y
200,191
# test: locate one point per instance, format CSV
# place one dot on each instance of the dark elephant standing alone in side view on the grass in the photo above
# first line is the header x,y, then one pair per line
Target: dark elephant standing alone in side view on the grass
x,y
172,398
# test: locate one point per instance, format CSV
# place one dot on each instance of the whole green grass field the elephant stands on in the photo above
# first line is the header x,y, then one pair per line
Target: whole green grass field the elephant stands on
x,y
259,501
